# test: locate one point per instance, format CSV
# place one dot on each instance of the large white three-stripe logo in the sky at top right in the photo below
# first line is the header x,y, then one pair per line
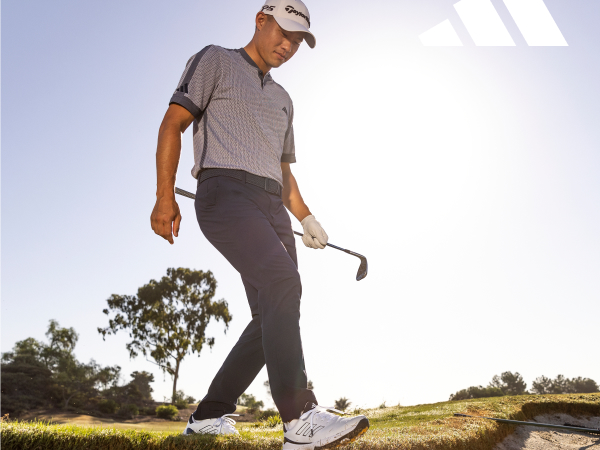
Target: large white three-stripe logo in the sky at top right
x,y
485,26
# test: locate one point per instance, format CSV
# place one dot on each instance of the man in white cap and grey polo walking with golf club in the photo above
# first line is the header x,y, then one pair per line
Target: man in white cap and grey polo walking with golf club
x,y
243,148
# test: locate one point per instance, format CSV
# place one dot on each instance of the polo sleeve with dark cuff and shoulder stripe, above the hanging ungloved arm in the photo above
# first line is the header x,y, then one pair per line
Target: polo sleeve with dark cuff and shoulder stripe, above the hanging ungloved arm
x,y
197,84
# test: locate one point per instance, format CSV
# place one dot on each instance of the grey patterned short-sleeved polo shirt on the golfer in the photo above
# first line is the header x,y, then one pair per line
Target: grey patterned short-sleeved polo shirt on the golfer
x,y
243,120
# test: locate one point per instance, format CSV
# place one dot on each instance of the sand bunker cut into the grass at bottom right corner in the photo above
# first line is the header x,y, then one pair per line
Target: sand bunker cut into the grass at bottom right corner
x,y
533,438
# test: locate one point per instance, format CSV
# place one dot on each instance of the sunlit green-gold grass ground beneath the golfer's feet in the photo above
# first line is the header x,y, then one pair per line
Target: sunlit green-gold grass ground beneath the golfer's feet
x,y
421,427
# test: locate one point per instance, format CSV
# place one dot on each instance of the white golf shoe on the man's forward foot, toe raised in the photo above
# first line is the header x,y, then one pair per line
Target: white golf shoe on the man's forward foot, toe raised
x,y
318,429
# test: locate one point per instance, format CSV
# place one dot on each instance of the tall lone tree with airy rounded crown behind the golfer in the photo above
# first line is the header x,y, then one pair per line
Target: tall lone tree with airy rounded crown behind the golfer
x,y
167,319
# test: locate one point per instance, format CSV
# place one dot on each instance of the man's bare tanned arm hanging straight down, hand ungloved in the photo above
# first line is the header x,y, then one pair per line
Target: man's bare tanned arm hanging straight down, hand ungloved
x,y
165,218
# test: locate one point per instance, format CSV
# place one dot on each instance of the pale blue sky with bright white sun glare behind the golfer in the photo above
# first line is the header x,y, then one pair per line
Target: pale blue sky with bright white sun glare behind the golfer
x,y
467,175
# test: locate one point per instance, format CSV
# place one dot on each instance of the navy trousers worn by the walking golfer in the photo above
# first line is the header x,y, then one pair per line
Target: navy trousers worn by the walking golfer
x,y
252,230
